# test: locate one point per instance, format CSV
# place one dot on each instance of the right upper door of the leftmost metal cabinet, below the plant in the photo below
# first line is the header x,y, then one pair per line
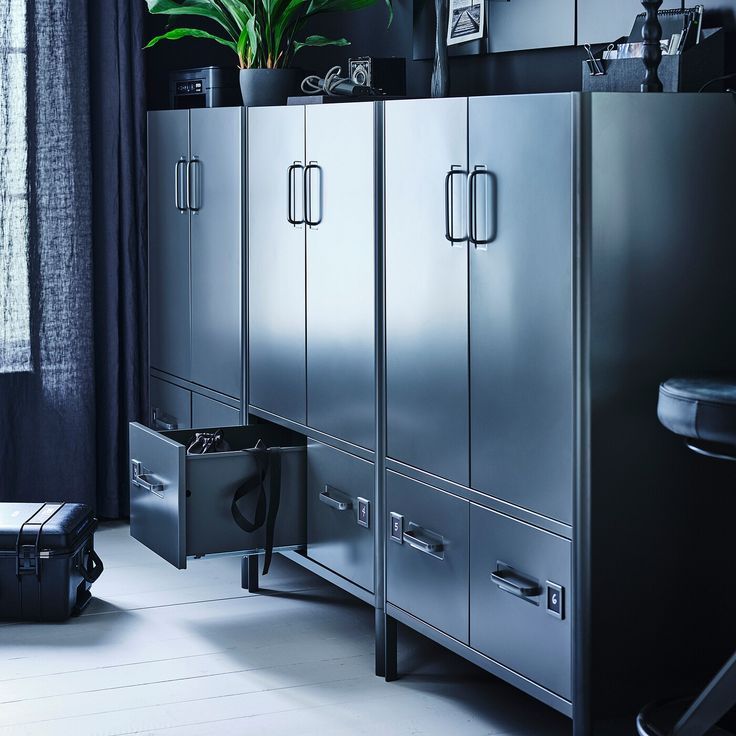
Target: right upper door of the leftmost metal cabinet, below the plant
x,y
216,201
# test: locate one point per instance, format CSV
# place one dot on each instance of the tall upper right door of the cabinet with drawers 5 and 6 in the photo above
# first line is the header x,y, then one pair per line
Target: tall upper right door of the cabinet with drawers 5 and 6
x,y
521,301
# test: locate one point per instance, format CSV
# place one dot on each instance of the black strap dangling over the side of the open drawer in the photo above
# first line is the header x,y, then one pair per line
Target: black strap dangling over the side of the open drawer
x,y
267,507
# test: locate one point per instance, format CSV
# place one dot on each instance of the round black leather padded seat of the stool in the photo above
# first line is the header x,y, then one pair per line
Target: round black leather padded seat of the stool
x,y
700,409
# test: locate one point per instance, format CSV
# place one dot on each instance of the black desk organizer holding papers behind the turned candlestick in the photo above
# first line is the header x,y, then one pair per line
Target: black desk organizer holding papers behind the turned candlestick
x,y
686,72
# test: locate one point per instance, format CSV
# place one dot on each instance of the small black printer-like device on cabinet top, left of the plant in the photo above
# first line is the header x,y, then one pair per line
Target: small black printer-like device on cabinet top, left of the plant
x,y
210,86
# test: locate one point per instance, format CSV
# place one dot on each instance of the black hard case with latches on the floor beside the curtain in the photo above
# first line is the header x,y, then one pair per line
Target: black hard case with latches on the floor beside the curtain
x,y
47,560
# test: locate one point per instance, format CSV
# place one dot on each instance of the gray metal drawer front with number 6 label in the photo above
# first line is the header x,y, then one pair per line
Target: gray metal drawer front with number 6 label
x,y
510,620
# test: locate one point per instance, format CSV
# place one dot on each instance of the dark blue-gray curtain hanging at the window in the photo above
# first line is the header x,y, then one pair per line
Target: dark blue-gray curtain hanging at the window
x,y
64,410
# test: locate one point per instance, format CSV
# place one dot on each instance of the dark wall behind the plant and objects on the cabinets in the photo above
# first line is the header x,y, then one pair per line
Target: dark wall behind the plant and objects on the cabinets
x,y
546,70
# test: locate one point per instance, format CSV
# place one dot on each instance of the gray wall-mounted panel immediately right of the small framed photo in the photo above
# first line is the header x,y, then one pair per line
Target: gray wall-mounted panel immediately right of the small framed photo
x,y
531,24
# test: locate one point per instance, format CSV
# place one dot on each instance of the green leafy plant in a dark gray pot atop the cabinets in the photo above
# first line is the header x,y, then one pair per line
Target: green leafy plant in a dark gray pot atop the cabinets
x,y
264,34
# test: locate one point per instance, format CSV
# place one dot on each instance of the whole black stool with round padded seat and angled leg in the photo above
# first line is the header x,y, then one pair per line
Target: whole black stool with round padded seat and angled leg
x,y
703,412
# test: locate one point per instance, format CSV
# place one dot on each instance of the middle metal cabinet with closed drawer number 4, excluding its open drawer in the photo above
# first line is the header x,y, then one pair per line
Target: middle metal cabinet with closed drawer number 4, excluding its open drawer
x,y
312,316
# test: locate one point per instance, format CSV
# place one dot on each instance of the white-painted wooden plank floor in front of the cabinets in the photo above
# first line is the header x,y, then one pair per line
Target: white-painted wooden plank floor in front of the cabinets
x,y
188,653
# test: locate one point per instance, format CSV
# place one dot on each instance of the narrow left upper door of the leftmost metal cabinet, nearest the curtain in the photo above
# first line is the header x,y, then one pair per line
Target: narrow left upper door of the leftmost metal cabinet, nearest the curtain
x,y
168,241
